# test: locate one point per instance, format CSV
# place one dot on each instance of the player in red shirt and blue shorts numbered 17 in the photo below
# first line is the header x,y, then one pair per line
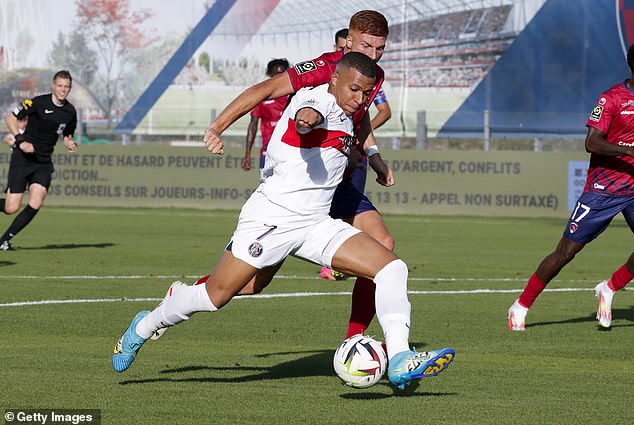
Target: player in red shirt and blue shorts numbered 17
x,y
609,190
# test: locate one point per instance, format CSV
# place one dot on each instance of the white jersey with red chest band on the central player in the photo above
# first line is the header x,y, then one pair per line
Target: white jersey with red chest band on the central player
x,y
302,170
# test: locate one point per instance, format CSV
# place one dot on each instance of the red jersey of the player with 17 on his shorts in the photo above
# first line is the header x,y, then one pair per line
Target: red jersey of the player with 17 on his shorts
x,y
614,116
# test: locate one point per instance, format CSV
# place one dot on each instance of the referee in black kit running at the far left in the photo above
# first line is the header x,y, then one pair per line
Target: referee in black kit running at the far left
x,y
47,117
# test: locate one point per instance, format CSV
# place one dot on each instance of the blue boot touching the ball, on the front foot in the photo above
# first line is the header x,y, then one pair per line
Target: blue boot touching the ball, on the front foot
x,y
409,365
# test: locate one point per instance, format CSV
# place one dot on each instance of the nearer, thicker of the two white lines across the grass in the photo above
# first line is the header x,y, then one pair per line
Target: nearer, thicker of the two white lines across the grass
x,y
285,295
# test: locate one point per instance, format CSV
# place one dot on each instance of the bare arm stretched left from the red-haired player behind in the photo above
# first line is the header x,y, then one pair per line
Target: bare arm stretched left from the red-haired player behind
x,y
274,87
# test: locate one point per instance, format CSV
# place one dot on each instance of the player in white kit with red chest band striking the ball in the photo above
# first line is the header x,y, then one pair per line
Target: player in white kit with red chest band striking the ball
x,y
288,215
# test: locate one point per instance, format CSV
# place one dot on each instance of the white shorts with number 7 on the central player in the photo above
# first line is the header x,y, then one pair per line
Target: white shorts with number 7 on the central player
x,y
268,233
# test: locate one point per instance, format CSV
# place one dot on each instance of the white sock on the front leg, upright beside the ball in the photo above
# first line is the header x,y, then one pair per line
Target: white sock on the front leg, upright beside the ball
x,y
392,306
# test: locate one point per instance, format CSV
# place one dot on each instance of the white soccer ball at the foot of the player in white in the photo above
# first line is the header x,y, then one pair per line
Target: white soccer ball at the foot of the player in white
x,y
360,361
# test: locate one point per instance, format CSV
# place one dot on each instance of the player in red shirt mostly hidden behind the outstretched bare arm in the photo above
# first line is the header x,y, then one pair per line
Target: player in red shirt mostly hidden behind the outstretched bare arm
x,y
267,113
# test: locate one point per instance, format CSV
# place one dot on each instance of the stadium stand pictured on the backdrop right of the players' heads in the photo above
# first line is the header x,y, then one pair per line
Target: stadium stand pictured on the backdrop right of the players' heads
x,y
450,50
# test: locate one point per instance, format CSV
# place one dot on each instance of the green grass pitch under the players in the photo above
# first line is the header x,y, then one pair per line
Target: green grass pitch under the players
x,y
268,360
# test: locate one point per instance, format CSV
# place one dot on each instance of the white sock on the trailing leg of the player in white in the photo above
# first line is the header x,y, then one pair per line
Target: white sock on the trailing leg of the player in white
x,y
179,307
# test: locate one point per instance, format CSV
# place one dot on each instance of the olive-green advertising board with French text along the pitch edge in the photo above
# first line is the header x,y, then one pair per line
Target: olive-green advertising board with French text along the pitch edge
x,y
450,182
